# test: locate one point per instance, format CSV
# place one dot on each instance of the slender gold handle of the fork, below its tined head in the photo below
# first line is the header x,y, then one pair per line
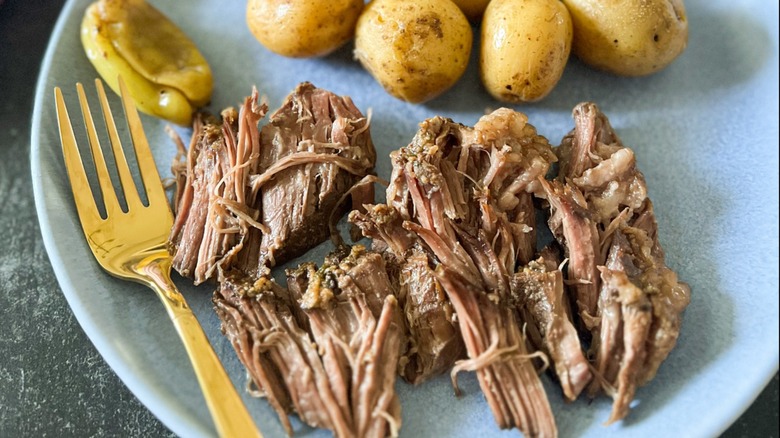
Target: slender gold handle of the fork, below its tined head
x,y
227,410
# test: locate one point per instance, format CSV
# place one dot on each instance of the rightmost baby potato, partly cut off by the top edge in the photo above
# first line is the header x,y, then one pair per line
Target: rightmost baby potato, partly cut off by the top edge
x,y
628,37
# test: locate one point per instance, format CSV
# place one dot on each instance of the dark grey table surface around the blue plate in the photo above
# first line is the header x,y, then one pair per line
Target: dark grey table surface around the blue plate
x,y
52,380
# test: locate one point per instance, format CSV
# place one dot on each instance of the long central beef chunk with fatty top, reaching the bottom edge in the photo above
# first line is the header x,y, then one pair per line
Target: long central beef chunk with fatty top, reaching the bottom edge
x,y
460,193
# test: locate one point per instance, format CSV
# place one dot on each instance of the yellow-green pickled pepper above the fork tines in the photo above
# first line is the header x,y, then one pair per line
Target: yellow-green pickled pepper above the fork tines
x,y
164,72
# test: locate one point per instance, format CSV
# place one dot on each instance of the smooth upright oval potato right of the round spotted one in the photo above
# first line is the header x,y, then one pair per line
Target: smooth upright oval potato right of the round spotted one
x,y
525,47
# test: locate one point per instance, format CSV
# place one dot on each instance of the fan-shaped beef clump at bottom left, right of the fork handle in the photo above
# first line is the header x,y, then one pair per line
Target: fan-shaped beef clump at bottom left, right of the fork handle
x,y
327,348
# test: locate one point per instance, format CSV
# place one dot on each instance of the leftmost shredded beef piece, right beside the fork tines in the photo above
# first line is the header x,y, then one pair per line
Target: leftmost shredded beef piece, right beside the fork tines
x,y
216,208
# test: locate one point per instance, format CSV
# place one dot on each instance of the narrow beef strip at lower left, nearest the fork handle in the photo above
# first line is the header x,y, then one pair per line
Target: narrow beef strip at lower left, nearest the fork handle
x,y
279,356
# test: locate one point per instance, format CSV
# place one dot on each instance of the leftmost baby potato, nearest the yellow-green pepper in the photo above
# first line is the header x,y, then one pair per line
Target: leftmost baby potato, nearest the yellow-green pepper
x,y
302,29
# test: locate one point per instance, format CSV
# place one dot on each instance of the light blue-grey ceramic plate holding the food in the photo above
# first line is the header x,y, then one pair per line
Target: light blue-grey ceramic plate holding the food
x,y
705,133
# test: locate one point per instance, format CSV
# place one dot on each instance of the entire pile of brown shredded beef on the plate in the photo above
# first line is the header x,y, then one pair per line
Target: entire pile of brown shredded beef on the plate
x,y
454,281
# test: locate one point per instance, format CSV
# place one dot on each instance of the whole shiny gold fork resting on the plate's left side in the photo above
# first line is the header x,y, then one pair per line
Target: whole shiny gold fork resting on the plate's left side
x,y
132,244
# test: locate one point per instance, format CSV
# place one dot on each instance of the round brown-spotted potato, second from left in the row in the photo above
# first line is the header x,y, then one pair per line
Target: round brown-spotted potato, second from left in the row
x,y
415,49
